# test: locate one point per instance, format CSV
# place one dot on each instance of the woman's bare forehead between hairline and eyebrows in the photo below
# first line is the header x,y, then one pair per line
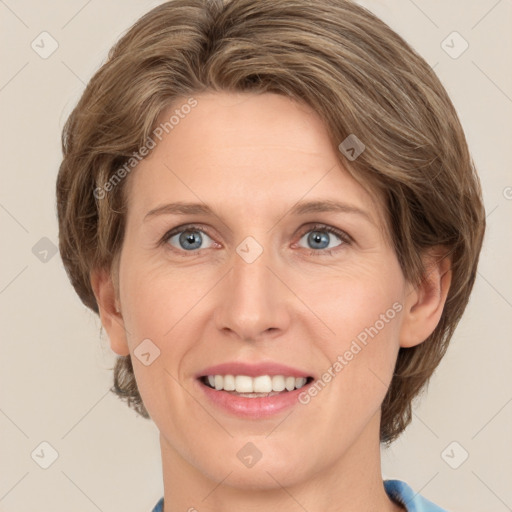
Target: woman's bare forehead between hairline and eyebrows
x,y
258,153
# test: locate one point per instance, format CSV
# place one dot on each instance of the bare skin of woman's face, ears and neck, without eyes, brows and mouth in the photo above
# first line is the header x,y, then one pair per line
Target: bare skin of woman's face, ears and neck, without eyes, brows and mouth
x,y
251,158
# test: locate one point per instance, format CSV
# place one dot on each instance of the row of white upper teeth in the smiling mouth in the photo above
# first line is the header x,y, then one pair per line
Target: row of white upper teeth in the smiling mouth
x,y
260,384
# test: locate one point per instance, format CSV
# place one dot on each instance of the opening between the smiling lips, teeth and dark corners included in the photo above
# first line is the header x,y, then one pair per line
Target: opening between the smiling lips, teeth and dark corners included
x,y
254,387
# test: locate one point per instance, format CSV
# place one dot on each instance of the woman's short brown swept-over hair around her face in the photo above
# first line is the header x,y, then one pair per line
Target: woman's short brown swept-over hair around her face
x,y
335,56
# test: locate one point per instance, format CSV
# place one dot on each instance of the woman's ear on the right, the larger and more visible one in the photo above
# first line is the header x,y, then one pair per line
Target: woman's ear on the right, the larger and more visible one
x,y
425,302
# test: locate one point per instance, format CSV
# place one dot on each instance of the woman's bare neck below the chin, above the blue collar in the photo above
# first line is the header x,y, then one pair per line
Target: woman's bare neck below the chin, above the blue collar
x,y
352,484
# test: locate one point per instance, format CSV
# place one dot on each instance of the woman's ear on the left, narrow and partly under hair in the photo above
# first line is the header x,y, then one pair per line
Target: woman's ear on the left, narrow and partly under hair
x,y
110,316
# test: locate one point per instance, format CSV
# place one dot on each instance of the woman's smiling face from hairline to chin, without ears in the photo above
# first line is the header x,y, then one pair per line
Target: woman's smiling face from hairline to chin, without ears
x,y
263,277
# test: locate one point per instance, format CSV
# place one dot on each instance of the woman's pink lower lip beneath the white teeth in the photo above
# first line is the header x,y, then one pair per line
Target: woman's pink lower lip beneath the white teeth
x,y
253,408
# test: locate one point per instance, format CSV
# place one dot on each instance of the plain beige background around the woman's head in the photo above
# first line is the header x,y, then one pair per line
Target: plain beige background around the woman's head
x,y
55,370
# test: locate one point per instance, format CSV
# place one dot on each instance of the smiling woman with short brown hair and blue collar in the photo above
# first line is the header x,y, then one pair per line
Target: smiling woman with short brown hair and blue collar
x,y
272,207
